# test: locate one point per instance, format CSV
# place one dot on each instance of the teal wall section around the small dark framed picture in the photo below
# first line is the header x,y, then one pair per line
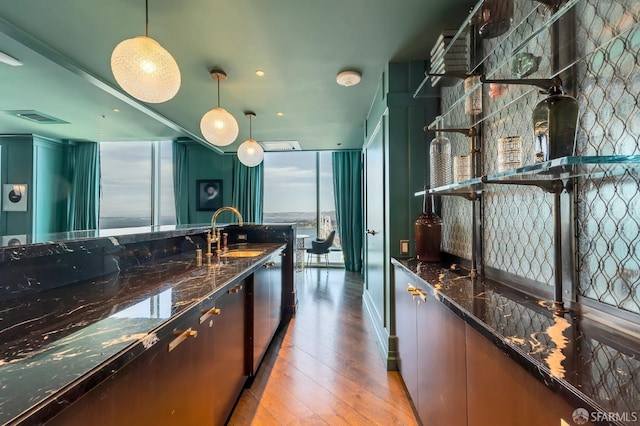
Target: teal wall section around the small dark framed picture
x,y
203,163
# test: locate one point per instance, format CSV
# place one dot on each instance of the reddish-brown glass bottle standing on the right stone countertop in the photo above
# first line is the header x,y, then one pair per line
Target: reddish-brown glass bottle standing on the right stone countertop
x,y
428,232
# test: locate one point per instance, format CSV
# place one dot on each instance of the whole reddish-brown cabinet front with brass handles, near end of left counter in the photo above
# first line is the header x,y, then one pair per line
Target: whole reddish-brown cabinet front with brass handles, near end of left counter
x,y
197,382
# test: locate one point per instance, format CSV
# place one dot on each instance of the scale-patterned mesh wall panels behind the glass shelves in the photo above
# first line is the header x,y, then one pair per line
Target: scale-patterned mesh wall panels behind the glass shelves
x,y
518,221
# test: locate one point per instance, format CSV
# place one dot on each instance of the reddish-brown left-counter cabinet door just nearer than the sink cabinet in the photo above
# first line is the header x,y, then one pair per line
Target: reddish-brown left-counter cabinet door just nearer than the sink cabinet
x,y
228,362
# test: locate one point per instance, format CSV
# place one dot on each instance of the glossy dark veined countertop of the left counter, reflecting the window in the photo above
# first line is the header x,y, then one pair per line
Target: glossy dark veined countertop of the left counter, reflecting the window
x,y
51,341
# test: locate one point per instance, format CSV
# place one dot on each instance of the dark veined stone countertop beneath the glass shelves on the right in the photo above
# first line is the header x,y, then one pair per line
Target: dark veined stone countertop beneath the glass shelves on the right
x,y
588,364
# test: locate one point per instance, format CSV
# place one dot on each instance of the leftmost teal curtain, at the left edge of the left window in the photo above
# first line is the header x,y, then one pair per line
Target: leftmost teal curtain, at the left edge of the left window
x,y
84,195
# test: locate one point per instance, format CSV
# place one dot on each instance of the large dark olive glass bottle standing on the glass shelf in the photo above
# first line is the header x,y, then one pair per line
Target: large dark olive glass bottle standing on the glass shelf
x,y
555,120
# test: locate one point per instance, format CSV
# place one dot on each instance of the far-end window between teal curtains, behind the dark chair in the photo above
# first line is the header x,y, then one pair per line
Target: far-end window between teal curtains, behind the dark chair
x,y
298,188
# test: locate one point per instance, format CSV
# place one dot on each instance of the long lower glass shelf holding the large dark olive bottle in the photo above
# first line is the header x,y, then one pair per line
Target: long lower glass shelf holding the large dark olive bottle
x,y
594,167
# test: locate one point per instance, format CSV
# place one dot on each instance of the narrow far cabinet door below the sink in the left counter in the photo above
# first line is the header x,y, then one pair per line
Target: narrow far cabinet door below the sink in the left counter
x,y
260,322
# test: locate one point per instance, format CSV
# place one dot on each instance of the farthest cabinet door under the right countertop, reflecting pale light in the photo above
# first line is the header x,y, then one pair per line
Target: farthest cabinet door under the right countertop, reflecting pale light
x,y
406,332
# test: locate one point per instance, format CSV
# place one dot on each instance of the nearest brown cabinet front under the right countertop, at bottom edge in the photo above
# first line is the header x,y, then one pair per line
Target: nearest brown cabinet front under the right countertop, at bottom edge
x,y
501,392
